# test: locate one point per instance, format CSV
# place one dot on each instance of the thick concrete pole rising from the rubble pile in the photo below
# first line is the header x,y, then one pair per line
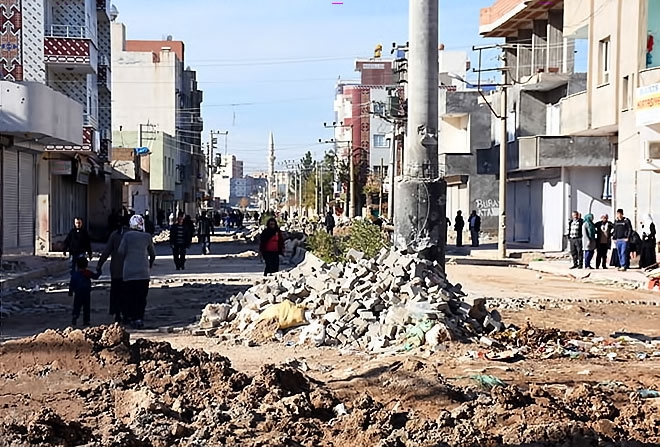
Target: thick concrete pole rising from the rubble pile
x,y
419,217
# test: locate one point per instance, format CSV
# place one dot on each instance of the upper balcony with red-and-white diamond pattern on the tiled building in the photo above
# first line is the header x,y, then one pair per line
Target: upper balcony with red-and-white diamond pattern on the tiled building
x,y
70,49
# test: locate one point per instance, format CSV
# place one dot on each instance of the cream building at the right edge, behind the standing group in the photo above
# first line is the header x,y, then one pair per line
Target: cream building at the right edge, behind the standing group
x,y
621,97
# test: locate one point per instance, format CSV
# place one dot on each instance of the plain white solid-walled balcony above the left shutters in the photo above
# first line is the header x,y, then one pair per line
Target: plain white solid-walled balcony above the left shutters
x,y
31,110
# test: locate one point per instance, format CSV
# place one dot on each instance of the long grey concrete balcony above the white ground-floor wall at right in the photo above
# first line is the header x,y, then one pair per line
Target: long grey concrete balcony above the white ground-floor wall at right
x,y
557,151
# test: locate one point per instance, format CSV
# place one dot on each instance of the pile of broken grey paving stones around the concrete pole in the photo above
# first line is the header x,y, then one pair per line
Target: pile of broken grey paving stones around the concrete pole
x,y
394,300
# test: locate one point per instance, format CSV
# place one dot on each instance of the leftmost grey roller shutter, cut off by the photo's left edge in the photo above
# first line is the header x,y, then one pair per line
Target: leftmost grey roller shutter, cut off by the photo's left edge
x,y
10,201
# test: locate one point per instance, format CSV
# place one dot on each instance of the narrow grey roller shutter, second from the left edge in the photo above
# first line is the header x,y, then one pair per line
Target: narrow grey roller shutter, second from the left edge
x,y
27,201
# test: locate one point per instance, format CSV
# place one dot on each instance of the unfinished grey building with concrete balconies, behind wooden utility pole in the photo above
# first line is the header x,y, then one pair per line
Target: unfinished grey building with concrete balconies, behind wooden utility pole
x,y
552,166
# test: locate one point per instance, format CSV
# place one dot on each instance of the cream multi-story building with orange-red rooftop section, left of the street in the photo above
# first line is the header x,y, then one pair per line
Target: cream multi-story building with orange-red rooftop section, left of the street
x,y
156,107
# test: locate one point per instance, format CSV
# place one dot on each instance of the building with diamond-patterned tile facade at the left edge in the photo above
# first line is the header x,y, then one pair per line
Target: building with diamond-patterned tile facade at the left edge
x,y
54,120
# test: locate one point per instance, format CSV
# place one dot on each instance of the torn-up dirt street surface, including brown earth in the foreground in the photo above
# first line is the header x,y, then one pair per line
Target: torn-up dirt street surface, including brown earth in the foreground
x,y
94,388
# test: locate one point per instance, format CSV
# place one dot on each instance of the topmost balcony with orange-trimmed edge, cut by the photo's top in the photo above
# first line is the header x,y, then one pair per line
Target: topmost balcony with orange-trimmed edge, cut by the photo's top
x,y
505,17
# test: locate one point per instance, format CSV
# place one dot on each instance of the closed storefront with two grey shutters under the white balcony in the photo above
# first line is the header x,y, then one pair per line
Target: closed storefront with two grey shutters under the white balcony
x,y
19,201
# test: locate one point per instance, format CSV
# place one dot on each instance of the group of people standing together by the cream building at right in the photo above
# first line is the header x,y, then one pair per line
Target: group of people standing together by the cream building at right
x,y
586,238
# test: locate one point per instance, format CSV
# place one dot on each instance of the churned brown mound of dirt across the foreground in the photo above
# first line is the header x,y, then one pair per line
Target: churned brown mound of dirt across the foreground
x,y
95,388
